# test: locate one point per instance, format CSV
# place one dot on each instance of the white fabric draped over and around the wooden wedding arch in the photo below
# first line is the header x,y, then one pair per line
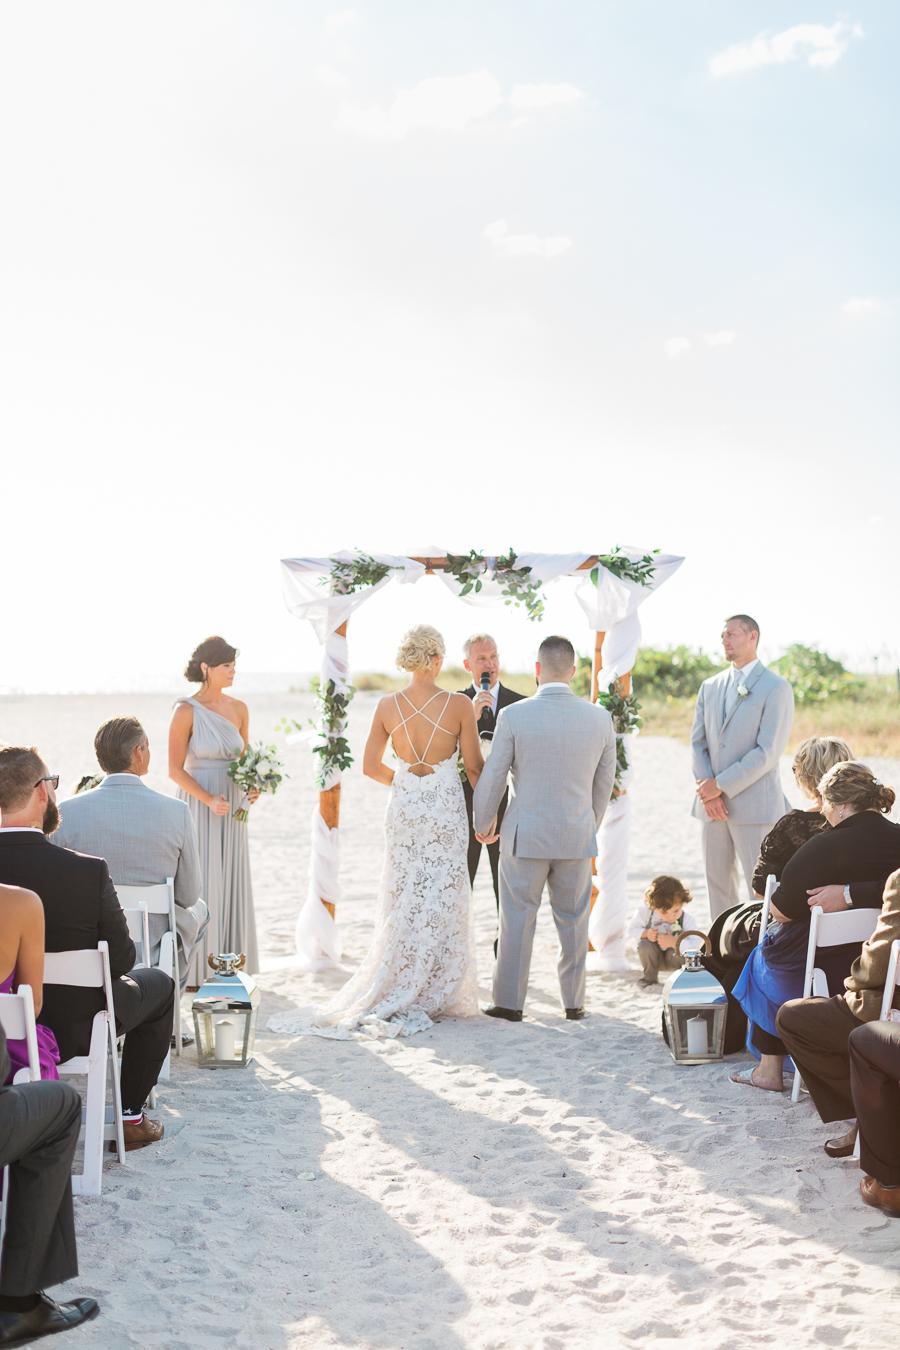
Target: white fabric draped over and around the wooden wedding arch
x,y
611,607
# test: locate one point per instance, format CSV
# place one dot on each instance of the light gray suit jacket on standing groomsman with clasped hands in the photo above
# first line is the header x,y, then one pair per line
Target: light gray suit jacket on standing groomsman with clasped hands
x,y
743,751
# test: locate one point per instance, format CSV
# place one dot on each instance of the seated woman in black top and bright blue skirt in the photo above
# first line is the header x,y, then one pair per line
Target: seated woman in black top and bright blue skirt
x,y
860,846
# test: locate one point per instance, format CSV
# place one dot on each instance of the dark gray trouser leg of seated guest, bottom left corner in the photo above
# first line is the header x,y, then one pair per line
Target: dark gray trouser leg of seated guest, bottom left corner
x,y
38,1136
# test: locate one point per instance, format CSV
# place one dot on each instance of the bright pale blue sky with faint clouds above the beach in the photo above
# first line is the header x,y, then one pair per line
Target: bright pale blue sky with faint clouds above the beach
x,y
280,279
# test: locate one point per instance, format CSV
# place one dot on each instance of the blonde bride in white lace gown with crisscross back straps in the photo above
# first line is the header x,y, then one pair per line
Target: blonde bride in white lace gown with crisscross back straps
x,y
422,965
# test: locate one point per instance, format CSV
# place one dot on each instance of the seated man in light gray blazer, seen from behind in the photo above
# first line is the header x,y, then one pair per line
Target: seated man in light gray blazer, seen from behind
x,y
145,836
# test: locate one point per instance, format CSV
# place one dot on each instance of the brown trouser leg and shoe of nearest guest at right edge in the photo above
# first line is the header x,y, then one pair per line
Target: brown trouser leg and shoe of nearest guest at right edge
x,y
875,1070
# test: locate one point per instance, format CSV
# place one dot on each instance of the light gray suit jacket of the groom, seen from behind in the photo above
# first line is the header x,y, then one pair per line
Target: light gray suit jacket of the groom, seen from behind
x,y
561,753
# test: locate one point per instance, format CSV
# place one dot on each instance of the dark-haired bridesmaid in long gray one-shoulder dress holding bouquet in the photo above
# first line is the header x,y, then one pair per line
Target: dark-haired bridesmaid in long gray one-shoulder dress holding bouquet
x,y
208,731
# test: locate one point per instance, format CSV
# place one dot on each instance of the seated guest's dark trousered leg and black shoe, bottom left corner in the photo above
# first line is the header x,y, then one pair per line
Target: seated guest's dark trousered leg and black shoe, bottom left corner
x,y
38,1135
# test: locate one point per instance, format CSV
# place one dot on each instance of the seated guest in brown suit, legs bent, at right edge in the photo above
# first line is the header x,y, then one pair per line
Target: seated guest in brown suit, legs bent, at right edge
x,y
817,1032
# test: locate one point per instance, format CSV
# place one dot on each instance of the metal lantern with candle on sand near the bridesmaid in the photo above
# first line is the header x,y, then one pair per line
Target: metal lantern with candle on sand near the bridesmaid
x,y
225,1012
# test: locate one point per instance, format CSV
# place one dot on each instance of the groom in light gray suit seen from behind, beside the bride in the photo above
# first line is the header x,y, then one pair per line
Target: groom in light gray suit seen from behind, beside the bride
x,y
561,753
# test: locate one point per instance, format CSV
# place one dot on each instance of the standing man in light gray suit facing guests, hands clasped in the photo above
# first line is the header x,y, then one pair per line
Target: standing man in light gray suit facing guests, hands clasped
x,y
741,728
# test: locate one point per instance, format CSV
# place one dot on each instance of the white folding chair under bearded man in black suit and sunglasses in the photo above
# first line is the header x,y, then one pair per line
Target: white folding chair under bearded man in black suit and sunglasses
x,y
90,970
